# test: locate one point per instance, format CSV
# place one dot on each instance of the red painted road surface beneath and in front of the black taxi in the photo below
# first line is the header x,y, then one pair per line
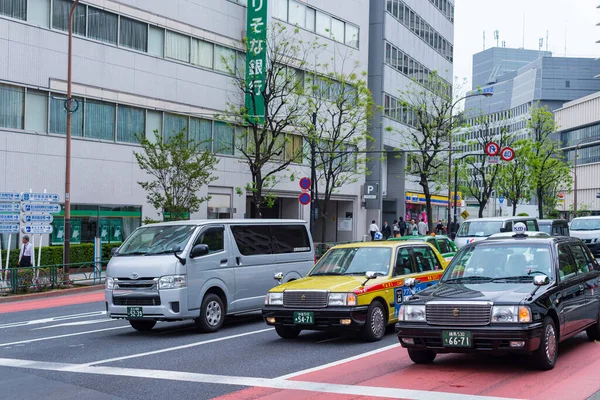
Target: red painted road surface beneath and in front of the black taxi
x,y
576,376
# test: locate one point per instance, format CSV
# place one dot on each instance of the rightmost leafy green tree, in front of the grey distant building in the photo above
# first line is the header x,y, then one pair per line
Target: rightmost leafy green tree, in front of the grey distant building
x,y
548,172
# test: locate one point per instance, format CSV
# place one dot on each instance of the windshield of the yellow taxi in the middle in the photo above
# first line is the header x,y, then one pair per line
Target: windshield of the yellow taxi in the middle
x,y
354,261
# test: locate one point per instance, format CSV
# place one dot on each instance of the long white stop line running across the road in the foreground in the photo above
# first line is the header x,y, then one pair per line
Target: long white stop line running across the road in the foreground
x,y
276,383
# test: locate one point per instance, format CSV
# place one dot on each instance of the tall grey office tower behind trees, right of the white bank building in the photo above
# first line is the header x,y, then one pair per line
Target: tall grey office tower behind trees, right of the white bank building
x,y
408,40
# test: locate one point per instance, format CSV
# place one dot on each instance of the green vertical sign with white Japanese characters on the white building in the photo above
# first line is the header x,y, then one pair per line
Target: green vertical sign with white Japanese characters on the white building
x,y
256,59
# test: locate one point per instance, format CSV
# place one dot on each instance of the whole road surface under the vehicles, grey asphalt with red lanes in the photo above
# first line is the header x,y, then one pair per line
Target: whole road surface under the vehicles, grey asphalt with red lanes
x,y
75,352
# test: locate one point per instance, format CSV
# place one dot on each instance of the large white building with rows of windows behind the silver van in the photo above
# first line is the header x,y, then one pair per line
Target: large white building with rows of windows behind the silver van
x,y
140,67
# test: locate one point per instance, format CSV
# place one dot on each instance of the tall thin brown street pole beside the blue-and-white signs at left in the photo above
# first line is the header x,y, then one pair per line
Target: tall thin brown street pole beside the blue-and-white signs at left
x,y
69,109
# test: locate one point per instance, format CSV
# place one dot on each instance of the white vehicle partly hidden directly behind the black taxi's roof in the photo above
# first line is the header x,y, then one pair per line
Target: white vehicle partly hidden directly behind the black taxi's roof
x,y
474,230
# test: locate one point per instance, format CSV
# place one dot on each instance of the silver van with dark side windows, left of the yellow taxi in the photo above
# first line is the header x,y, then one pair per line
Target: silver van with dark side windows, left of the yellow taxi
x,y
203,270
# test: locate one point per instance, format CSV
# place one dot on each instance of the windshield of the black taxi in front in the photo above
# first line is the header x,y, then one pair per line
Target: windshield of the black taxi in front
x,y
500,263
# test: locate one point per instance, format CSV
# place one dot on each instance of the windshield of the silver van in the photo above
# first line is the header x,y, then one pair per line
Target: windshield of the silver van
x,y
156,239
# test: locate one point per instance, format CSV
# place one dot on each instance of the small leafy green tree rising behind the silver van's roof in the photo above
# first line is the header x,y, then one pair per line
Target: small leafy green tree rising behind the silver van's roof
x,y
180,167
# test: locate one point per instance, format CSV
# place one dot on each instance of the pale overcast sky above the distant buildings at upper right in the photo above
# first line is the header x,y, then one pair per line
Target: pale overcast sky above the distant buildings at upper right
x,y
524,21
